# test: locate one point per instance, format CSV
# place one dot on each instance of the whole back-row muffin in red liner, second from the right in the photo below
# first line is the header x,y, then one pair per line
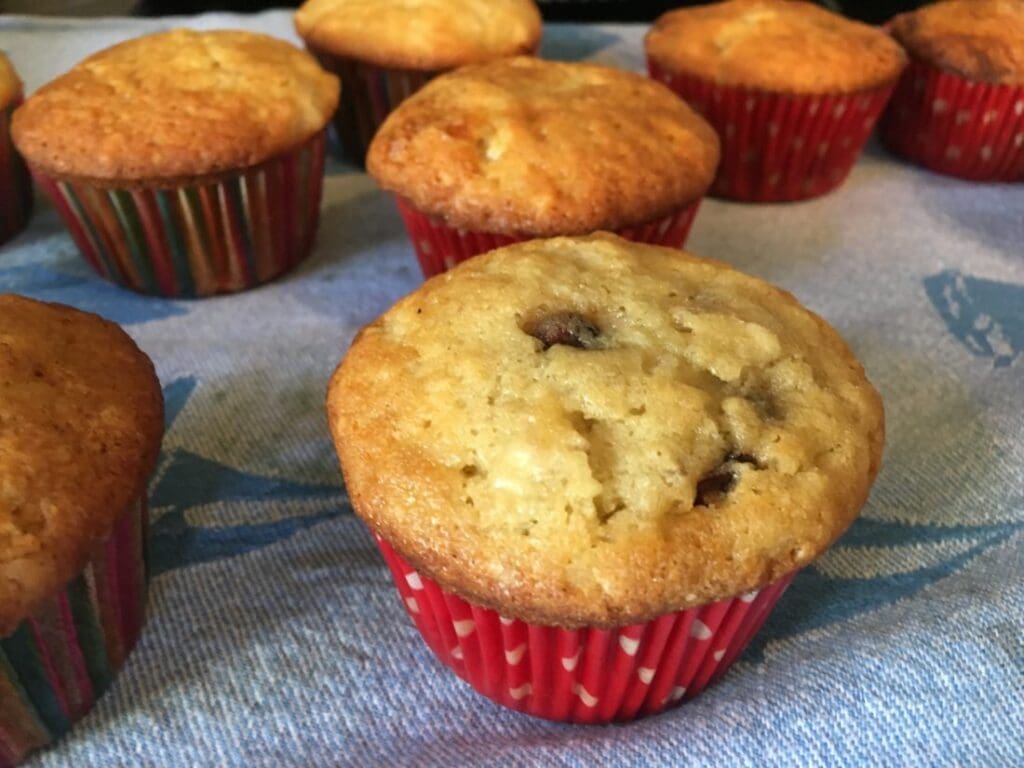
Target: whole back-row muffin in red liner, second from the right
x,y
793,90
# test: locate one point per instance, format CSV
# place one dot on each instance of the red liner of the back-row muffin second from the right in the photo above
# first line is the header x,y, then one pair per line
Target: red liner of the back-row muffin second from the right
x,y
780,147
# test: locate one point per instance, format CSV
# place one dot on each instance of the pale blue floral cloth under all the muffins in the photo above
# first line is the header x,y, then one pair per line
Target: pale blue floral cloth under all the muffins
x,y
276,638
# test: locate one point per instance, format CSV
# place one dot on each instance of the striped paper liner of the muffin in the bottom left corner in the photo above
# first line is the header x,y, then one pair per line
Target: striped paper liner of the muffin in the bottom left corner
x,y
57,663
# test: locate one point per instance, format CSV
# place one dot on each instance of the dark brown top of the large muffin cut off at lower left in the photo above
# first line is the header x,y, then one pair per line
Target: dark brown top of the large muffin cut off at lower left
x,y
81,419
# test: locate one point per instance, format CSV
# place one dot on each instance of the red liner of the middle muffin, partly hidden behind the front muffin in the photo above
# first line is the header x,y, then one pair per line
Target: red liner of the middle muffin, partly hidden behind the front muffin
x,y
440,247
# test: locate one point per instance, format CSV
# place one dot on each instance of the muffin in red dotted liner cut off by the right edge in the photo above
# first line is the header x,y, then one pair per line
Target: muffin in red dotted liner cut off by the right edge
x,y
959,108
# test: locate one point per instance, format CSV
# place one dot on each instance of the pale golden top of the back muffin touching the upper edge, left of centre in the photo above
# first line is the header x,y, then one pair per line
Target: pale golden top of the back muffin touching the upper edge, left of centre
x,y
421,34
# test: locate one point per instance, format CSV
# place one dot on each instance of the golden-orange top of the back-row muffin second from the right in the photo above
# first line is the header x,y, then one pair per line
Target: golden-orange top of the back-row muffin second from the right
x,y
777,46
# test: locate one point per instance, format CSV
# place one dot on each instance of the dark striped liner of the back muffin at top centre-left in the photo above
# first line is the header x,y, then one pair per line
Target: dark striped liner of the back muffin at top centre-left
x,y
369,94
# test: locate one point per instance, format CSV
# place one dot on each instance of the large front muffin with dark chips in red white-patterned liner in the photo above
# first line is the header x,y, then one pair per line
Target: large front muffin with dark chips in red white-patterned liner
x,y
593,466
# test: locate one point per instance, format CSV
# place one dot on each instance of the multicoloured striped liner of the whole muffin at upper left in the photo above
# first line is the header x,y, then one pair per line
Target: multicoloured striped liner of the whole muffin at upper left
x,y
220,237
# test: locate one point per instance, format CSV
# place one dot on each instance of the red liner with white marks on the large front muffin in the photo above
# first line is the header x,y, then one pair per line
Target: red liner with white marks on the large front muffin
x,y
588,675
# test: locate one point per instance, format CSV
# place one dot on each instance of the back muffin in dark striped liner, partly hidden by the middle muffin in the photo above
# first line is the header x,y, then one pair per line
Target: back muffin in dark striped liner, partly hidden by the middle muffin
x,y
385,51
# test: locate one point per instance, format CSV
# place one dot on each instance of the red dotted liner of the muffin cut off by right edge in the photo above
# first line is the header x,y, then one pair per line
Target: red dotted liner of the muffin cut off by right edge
x,y
957,126
